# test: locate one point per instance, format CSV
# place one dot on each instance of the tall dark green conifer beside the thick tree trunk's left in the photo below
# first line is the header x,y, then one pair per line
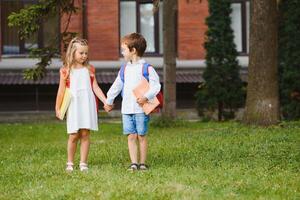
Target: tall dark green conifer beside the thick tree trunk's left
x,y
222,89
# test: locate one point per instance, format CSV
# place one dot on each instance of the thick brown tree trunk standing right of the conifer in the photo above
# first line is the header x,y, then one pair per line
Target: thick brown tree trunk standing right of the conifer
x,y
262,104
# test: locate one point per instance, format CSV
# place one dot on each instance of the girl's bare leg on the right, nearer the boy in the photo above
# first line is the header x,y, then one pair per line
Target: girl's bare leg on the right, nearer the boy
x,y
84,145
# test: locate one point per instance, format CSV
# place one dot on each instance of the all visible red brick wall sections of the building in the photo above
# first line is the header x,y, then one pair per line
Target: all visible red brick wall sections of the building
x,y
103,28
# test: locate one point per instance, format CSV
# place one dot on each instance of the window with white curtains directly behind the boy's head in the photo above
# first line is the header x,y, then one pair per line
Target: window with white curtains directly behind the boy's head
x,y
137,16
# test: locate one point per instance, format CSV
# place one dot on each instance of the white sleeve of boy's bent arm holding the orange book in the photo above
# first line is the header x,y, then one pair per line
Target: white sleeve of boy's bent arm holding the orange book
x,y
154,84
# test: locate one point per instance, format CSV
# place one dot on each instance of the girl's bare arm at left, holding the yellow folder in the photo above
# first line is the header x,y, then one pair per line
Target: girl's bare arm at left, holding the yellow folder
x,y
61,90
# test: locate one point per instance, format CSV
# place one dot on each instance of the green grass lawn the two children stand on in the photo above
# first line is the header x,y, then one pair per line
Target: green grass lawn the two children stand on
x,y
192,161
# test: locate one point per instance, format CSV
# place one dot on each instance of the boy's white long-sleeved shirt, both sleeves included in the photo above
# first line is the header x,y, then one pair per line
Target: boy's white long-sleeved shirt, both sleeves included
x,y
132,76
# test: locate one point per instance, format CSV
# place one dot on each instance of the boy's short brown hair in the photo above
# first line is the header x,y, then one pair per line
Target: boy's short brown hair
x,y
137,41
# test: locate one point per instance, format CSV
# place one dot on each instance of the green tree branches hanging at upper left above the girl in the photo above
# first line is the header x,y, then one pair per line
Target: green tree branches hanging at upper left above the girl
x,y
28,21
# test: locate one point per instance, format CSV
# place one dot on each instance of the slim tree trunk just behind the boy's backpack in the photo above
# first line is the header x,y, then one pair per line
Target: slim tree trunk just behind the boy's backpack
x,y
169,33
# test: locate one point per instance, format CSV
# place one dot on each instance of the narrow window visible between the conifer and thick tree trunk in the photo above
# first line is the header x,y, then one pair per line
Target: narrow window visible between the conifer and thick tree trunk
x,y
240,17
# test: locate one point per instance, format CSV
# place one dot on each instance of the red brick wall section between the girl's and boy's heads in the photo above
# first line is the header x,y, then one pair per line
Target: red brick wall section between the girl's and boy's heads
x,y
103,29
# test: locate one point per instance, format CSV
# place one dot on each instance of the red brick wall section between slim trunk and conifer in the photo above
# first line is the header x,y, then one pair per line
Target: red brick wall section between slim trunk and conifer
x,y
191,28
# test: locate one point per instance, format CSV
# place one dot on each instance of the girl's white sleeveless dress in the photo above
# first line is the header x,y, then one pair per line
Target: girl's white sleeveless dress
x,y
82,113
